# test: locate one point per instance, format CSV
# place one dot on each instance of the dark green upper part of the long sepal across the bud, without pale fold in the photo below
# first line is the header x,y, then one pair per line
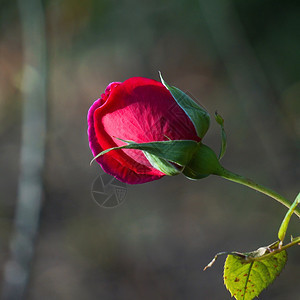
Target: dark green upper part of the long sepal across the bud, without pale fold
x,y
178,151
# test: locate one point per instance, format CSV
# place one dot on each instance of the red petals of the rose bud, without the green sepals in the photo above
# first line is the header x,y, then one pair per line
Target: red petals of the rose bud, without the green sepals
x,y
140,110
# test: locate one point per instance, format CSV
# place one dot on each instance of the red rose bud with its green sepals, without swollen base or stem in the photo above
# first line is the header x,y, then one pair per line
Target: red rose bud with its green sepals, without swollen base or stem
x,y
153,131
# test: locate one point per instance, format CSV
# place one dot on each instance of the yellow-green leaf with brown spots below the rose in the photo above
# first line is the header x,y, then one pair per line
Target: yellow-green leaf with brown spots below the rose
x,y
245,278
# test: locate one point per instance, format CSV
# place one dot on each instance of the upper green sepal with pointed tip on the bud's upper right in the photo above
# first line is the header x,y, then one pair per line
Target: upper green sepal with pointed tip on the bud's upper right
x,y
198,115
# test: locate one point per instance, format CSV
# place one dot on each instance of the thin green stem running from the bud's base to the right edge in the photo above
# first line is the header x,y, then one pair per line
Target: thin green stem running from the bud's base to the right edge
x,y
260,188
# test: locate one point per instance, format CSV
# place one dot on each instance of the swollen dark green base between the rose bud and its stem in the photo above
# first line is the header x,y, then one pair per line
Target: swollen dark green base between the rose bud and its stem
x,y
203,163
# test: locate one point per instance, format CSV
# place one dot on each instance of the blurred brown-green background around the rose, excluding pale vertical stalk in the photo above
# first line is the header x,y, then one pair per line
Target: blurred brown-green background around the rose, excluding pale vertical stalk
x,y
241,58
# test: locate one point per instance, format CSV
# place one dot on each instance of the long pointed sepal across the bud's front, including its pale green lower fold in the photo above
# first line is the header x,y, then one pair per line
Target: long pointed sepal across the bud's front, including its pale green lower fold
x,y
160,154
